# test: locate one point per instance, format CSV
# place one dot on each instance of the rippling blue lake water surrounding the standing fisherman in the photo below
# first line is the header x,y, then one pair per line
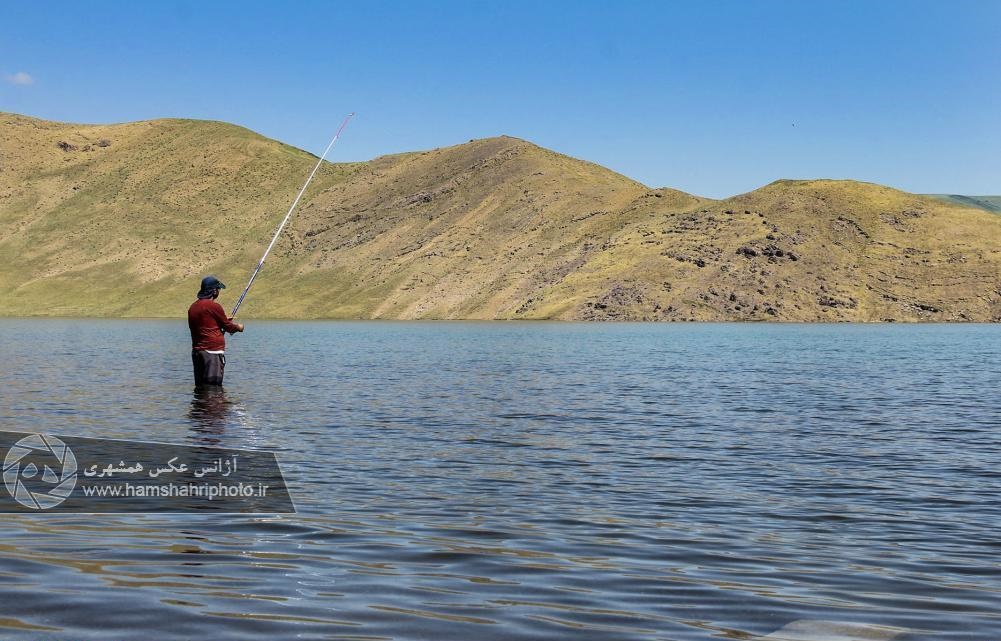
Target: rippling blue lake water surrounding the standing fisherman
x,y
527,481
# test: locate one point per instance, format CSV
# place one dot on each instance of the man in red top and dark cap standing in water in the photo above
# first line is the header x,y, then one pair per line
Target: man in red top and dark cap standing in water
x,y
209,323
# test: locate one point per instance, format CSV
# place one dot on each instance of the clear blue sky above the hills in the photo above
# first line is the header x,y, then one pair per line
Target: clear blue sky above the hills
x,y
714,99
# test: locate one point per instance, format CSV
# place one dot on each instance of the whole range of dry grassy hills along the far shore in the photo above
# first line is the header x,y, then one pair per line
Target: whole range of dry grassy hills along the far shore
x,y
122,221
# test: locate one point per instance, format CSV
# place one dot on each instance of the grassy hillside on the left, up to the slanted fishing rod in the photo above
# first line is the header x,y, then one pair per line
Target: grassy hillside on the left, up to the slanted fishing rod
x,y
121,220
